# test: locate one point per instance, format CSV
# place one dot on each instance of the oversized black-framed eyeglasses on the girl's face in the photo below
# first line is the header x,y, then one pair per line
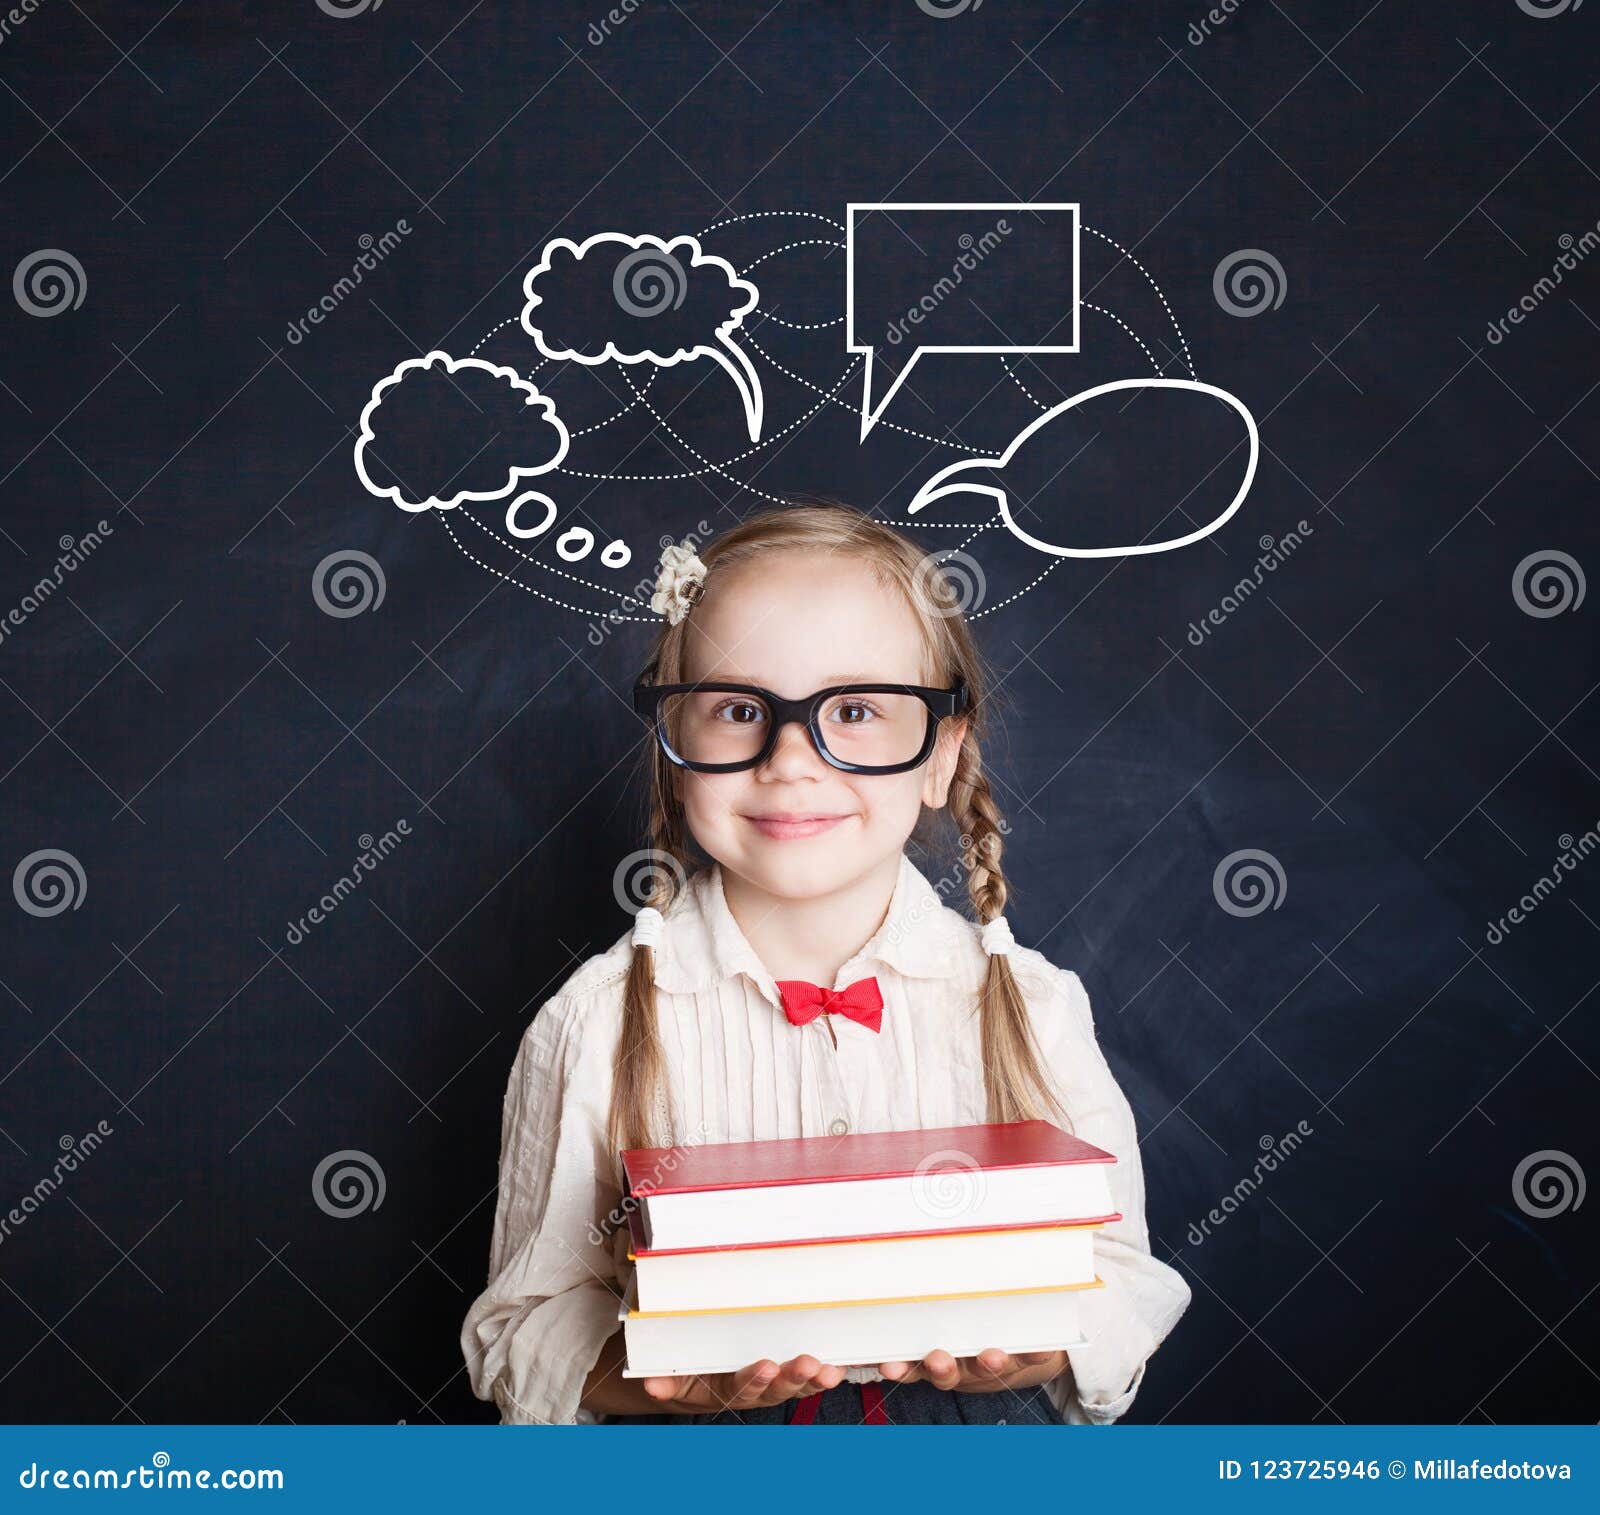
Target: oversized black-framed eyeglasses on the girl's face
x,y
857,727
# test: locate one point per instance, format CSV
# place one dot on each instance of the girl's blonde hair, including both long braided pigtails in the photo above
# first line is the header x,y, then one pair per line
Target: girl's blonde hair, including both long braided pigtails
x,y
1014,1081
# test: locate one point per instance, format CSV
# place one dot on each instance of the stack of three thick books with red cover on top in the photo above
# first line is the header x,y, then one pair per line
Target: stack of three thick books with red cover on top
x,y
870,1249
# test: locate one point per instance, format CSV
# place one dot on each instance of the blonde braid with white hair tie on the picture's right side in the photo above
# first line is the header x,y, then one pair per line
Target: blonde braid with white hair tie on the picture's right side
x,y
1014,1073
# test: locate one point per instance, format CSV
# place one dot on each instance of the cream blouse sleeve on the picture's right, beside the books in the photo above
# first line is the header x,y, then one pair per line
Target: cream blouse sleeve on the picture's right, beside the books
x,y
1143,1298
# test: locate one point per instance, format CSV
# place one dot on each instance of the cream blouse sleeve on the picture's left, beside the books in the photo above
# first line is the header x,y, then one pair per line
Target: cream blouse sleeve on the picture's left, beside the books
x,y
534,1335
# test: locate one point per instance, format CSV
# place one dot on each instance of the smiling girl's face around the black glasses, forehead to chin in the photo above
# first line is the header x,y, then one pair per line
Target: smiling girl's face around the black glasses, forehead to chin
x,y
796,623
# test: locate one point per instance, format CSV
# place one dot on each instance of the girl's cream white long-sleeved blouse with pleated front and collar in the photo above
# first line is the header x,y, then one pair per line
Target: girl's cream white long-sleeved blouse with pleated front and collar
x,y
740,1071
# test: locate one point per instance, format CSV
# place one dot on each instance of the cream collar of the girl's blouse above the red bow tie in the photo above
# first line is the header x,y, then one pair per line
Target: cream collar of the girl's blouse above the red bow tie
x,y
705,946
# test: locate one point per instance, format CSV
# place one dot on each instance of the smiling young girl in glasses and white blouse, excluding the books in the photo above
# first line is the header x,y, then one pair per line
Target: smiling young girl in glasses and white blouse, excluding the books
x,y
703,1025
